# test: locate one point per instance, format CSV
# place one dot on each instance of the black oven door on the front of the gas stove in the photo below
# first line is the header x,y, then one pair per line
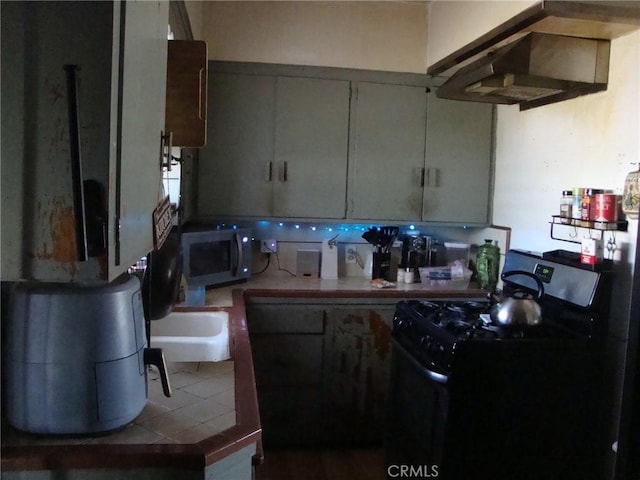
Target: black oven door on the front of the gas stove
x,y
417,414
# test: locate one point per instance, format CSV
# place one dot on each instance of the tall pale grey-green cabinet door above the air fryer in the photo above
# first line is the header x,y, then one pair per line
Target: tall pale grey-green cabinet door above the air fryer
x,y
139,101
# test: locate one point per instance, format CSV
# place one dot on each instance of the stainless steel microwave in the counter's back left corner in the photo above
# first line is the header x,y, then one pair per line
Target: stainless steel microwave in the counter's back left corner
x,y
214,256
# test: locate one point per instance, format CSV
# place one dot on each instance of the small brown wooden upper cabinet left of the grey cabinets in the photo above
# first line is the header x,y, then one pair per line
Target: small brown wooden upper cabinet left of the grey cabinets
x,y
186,112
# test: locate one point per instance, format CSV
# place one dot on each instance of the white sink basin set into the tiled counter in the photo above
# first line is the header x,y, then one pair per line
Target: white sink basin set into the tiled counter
x,y
201,336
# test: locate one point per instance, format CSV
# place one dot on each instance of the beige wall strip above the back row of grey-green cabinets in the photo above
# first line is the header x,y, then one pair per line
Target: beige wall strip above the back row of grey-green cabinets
x,y
365,35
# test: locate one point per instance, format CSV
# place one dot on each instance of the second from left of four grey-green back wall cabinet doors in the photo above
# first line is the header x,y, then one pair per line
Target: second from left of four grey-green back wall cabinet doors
x,y
312,119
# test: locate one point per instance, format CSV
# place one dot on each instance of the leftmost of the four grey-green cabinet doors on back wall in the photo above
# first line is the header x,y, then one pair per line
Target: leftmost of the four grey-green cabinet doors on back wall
x,y
234,169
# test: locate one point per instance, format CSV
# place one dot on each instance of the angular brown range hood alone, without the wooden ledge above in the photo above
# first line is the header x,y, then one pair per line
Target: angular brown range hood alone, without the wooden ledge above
x,y
535,70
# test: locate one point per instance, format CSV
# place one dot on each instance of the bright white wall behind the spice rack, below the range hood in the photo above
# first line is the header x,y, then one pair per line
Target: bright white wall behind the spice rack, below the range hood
x,y
589,141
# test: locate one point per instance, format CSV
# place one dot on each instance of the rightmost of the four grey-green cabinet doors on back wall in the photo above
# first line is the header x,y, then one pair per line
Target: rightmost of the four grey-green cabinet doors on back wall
x,y
458,161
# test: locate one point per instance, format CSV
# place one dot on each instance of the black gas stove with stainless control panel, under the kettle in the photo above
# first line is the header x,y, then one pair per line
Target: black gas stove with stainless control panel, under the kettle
x,y
473,400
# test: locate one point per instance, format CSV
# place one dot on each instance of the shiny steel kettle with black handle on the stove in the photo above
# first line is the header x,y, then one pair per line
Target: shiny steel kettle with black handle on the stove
x,y
520,309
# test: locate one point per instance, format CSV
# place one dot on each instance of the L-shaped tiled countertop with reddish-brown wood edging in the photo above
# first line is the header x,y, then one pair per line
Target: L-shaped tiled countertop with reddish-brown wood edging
x,y
236,428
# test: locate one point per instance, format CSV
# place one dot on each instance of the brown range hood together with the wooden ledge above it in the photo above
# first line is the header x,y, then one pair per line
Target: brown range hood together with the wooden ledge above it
x,y
552,51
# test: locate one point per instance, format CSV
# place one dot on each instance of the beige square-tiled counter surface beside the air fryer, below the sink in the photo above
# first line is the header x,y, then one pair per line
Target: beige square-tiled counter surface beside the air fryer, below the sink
x,y
202,405
